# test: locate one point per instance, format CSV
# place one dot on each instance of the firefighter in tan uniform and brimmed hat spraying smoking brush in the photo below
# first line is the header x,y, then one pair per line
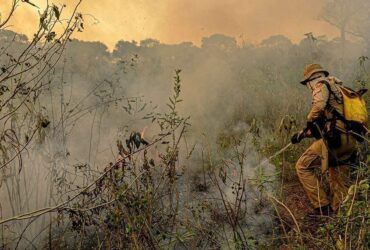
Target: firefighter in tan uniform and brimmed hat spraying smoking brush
x,y
333,146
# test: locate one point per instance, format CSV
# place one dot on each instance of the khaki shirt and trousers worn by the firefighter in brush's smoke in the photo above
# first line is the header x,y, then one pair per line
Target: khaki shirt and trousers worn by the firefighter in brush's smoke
x,y
318,155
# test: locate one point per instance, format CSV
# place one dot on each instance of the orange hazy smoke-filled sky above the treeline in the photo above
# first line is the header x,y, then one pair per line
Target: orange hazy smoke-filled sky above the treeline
x,y
174,21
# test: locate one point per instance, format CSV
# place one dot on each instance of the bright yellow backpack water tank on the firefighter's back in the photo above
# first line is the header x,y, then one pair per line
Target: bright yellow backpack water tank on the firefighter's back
x,y
354,105
